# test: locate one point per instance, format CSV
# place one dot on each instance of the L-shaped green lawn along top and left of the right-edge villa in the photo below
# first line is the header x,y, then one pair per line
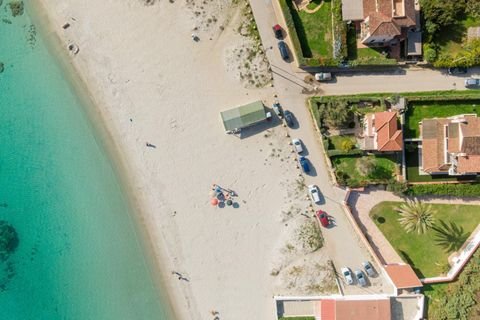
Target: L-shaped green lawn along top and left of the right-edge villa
x,y
440,109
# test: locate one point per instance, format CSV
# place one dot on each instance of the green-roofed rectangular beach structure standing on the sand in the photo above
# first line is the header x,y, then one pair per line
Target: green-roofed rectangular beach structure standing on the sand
x,y
243,116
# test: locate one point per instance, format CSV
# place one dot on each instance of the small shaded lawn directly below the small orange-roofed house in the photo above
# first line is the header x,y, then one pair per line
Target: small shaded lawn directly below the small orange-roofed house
x,y
346,167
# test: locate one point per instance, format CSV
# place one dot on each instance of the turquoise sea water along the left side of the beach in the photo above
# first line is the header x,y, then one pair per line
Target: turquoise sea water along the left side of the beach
x,y
78,256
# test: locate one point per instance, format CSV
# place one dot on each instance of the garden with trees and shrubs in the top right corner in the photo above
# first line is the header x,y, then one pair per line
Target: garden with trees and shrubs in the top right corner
x,y
446,26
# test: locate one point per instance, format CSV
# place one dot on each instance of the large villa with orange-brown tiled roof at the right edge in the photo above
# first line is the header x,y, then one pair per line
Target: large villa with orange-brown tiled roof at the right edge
x,y
451,145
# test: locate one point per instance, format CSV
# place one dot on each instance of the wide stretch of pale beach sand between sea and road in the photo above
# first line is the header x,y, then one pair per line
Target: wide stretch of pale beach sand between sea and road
x,y
140,63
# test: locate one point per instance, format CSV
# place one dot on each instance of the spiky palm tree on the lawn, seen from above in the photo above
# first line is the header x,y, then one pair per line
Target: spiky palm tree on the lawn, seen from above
x,y
415,216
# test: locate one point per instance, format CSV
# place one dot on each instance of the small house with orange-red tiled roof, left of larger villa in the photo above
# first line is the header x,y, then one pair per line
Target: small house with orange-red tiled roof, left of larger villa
x,y
381,132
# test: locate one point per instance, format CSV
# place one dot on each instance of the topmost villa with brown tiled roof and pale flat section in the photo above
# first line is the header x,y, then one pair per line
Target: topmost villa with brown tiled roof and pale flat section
x,y
386,23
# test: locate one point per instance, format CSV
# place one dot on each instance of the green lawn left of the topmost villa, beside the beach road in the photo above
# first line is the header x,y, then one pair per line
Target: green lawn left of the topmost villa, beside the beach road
x,y
314,30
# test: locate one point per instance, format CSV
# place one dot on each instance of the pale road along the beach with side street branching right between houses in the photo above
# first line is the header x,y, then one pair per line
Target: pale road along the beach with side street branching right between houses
x,y
341,241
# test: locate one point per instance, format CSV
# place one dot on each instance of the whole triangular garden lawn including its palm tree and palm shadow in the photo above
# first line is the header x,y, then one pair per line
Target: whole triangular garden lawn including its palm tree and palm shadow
x,y
425,235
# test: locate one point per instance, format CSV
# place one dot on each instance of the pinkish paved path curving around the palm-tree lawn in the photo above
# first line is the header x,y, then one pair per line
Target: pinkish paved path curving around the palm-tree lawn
x,y
362,202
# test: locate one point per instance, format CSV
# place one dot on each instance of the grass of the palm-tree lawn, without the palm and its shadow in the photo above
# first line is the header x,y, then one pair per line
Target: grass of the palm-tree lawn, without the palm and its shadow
x,y
421,251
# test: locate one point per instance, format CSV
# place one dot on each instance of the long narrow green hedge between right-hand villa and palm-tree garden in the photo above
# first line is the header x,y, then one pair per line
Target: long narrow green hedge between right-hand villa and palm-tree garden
x,y
446,189
